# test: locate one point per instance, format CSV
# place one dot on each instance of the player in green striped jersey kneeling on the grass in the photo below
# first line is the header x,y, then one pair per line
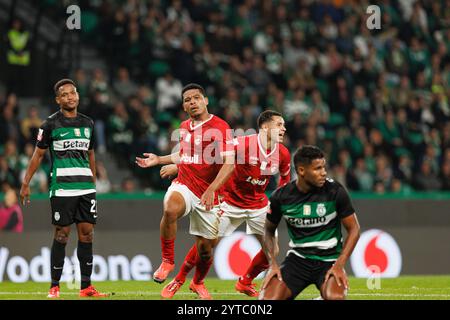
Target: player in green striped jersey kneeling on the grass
x,y
314,208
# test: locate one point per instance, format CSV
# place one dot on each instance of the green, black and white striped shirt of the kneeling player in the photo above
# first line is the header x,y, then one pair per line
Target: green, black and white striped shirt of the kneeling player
x,y
313,219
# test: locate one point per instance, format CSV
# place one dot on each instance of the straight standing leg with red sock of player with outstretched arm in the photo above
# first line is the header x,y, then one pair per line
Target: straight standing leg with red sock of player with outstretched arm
x,y
204,262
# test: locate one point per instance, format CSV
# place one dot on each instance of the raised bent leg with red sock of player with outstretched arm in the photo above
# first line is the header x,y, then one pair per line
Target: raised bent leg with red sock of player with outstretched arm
x,y
174,208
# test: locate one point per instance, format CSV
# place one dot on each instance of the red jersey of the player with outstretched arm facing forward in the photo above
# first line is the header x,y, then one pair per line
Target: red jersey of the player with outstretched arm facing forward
x,y
201,150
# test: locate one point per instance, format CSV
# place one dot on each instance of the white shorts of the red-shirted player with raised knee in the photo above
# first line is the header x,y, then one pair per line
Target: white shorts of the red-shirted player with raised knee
x,y
202,223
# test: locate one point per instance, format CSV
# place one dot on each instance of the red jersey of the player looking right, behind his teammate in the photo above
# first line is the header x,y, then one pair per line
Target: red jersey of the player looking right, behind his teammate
x,y
254,167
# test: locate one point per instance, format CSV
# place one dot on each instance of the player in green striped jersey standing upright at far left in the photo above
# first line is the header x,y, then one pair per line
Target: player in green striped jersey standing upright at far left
x,y
68,135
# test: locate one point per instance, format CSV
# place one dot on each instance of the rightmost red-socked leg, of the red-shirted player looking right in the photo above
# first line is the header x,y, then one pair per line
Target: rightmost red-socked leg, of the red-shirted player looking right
x,y
258,264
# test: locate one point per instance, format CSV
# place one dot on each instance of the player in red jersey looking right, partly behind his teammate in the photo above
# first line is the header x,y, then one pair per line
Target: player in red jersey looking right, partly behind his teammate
x,y
258,157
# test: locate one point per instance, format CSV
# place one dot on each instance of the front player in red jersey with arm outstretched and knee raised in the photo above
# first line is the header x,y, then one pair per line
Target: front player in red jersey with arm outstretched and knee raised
x,y
205,161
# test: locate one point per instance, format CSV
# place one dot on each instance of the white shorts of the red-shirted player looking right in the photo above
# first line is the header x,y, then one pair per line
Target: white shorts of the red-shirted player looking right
x,y
232,217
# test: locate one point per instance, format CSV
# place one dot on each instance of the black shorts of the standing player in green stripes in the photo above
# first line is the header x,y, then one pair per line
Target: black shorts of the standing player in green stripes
x,y
68,210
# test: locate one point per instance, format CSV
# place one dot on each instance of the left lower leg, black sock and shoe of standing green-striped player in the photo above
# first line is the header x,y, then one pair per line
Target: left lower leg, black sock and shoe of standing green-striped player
x,y
58,253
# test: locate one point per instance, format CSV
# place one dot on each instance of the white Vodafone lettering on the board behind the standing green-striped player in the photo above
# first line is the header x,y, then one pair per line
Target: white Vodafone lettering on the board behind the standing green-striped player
x,y
16,268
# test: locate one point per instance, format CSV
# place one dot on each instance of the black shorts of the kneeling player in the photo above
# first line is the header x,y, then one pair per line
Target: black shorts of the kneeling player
x,y
298,273
